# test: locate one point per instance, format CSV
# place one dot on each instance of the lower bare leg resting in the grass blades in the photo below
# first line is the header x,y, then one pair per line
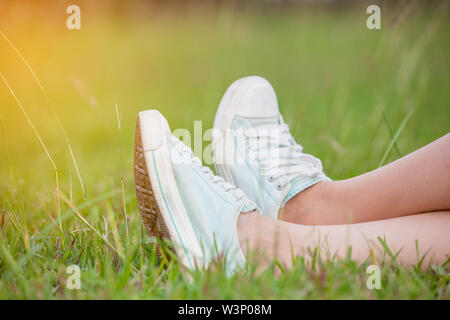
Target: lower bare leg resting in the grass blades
x,y
281,240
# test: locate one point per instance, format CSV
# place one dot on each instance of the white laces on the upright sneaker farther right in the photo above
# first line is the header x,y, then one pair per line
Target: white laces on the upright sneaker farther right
x,y
280,156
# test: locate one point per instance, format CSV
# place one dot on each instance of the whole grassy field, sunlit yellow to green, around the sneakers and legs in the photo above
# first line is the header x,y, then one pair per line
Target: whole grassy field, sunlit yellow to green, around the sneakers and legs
x,y
345,90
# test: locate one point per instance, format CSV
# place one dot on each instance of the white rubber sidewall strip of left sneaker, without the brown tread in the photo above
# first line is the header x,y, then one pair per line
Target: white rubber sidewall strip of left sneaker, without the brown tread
x,y
154,129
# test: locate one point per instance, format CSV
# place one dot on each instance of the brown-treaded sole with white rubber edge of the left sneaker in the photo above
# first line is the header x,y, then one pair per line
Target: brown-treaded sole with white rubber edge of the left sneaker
x,y
159,201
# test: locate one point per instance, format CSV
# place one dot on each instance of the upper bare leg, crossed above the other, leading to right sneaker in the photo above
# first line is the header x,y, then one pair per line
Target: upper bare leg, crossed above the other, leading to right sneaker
x,y
418,182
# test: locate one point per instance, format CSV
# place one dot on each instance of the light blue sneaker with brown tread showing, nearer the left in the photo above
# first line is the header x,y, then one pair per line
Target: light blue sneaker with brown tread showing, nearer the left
x,y
180,199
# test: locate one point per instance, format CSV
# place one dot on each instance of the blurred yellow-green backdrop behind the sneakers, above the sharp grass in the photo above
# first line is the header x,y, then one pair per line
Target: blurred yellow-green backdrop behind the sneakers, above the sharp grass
x,y
343,89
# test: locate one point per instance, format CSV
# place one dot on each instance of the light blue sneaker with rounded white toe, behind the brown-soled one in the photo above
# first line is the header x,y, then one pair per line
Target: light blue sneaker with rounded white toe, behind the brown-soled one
x,y
254,150
